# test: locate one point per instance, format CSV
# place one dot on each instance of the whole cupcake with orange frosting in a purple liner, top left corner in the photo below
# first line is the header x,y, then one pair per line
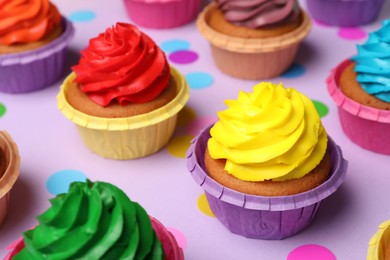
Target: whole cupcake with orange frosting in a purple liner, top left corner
x,y
33,45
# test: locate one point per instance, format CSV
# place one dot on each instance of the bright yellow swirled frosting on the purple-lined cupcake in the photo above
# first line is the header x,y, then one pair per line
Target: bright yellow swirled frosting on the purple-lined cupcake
x,y
273,133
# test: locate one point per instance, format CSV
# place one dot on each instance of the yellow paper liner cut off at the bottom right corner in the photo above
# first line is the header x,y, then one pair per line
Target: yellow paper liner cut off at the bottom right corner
x,y
379,242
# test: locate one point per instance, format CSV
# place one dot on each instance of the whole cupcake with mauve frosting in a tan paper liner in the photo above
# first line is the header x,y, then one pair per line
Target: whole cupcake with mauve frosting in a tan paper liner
x,y
253,39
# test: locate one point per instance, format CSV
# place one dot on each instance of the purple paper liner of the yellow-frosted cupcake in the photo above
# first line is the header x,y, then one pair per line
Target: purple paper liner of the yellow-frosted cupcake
x,y
263,217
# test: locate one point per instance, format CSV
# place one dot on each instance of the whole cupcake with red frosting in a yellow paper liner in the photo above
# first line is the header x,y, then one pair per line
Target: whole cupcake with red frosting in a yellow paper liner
x,y
123,96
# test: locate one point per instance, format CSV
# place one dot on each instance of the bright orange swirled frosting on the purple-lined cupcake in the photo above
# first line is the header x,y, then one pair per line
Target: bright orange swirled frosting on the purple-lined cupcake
x,y
24,21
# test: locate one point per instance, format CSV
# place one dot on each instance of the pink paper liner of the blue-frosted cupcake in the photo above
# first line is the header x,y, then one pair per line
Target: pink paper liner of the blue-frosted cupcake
x,y
366,126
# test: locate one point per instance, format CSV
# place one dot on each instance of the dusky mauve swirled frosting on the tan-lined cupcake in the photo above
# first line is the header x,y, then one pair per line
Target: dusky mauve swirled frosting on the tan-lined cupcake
x,y
259,13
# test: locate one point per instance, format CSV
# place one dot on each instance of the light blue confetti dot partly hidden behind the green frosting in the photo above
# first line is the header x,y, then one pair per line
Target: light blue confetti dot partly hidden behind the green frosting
x,y
59,181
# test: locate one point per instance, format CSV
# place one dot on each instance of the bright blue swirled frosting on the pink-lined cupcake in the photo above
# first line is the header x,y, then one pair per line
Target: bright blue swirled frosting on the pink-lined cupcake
x,y
373,63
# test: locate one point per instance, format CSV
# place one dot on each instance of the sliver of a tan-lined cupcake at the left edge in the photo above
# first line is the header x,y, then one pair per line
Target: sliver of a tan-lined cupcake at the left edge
x,y
9,171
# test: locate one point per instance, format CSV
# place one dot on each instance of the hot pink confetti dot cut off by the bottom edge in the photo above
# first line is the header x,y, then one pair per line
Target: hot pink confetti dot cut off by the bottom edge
x,y
309,252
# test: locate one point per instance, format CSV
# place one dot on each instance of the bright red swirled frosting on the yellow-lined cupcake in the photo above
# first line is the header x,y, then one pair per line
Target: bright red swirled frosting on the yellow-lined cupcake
x,y
122,64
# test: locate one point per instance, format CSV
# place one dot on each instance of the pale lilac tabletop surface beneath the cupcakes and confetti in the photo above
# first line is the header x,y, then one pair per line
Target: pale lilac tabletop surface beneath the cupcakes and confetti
x,y
49,143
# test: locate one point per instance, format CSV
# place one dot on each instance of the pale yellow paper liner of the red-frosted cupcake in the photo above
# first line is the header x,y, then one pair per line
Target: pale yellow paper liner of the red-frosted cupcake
x,y
127,137
